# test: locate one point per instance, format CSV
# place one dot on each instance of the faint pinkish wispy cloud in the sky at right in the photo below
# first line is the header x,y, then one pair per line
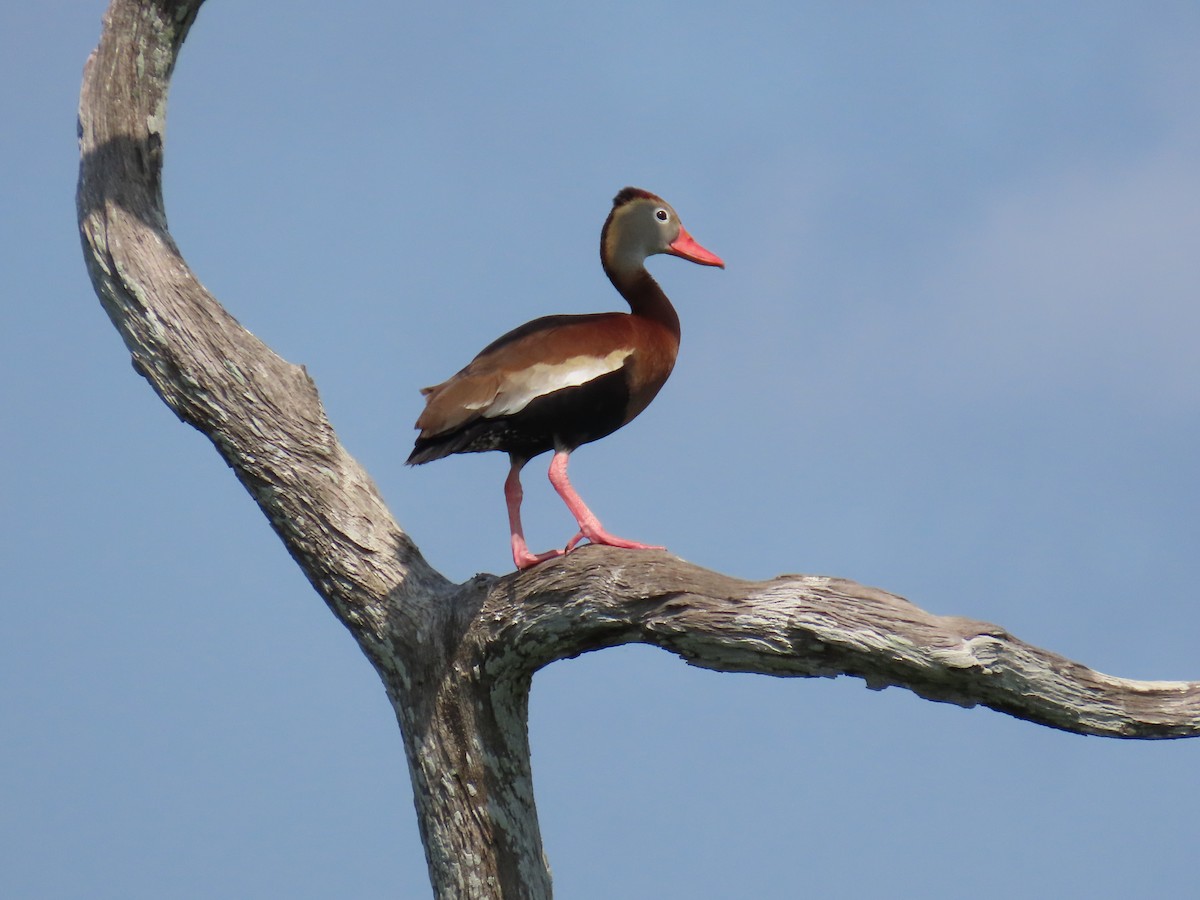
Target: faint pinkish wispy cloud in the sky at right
x,y
1089,279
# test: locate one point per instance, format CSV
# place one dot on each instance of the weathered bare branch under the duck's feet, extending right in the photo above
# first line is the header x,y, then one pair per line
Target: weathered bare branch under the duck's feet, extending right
x,y
813,626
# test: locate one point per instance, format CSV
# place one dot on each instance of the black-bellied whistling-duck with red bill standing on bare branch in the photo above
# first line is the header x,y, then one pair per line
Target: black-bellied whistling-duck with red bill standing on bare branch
x,y
563,381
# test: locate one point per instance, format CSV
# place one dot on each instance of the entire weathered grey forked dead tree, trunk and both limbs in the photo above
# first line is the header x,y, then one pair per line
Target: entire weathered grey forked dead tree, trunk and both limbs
x,y
458,659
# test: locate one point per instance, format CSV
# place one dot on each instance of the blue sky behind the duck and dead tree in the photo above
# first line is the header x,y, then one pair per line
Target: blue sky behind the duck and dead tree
x,y
953,356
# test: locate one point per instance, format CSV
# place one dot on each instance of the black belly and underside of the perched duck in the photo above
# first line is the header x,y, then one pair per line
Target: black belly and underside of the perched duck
x,y
561,421
